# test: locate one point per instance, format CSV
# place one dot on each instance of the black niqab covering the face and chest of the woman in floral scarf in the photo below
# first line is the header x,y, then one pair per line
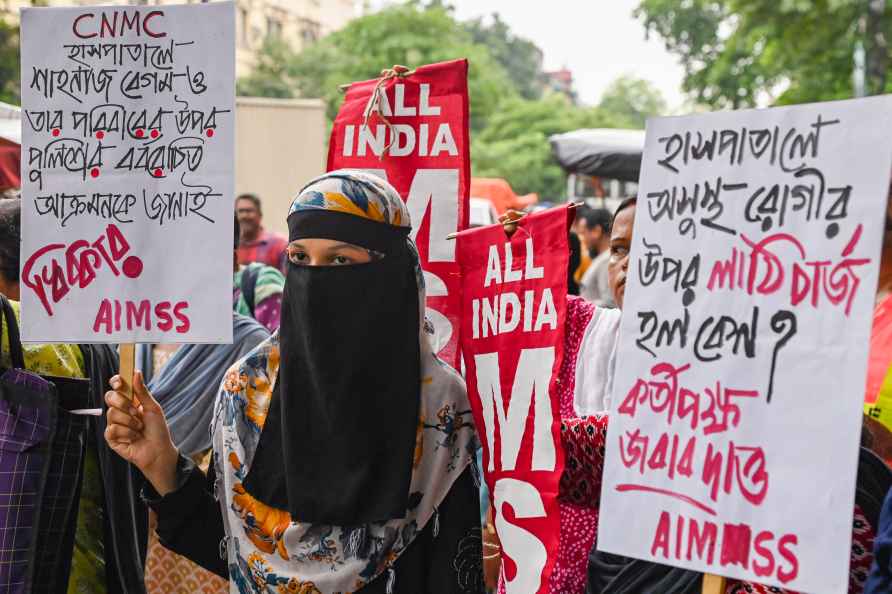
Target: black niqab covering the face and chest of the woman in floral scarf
x,y
339,439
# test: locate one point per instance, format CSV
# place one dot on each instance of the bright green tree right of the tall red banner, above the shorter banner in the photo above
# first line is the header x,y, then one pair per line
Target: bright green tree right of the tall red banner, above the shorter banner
x,y
515,143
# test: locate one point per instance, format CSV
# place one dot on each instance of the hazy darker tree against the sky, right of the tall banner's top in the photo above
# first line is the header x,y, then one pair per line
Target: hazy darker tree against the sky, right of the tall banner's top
x,y
521,58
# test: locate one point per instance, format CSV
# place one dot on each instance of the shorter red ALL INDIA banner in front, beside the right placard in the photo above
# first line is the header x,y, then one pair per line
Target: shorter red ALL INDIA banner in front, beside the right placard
x,y
514,309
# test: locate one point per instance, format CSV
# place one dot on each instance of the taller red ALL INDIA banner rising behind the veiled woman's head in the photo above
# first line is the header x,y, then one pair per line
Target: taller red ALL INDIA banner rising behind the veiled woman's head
x,y
417,138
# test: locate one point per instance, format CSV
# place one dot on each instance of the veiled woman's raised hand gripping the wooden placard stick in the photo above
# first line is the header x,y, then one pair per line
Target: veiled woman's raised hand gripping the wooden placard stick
x,y
137,432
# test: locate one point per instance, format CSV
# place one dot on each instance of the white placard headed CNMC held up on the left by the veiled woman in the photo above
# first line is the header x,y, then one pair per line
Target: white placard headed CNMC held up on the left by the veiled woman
x,y
127,168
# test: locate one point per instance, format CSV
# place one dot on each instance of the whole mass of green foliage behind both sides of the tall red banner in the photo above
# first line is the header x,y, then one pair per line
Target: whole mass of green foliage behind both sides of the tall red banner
x,y
510,124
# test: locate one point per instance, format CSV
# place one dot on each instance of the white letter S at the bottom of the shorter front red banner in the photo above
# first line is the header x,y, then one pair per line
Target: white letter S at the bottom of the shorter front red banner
x,y
517,543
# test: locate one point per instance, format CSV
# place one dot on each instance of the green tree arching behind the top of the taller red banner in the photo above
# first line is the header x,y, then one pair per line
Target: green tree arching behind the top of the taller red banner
x,y
408,34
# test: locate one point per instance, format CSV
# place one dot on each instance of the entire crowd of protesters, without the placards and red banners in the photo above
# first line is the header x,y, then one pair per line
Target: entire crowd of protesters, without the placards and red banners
x,y
314,451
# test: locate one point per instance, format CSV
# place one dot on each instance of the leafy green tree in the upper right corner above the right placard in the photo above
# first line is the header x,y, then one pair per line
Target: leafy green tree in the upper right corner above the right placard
x,y
736,52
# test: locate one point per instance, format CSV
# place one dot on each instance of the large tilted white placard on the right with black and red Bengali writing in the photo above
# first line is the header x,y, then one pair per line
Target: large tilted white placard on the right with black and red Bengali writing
x,y
736,411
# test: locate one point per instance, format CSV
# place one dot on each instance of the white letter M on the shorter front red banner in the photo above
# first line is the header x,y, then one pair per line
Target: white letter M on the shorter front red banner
x,y
530,384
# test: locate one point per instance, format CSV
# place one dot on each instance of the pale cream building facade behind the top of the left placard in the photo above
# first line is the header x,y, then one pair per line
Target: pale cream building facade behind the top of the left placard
x,y
298,22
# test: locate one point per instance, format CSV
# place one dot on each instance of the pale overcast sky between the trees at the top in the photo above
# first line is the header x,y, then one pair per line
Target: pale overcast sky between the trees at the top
x,y
597,39
